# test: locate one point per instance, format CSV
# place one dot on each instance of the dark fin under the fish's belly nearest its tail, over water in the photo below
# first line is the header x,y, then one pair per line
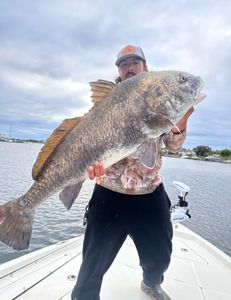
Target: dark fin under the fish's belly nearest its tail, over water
x,y
69,194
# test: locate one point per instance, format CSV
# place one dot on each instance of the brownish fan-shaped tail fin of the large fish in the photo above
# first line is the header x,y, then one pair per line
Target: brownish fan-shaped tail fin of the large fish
x,y
15,224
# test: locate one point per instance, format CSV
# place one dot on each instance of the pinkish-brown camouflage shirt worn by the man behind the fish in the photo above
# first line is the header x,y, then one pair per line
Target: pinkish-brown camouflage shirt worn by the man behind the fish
x,y
130,176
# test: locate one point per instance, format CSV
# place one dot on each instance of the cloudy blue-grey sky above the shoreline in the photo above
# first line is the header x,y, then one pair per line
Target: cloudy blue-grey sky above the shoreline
x,y
50,50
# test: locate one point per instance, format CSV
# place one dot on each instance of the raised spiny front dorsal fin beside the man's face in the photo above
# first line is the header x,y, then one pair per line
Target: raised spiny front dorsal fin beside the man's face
x,y
100,89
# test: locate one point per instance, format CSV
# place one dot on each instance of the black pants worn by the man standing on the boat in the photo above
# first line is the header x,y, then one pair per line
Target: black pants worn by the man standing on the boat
x,y
112,216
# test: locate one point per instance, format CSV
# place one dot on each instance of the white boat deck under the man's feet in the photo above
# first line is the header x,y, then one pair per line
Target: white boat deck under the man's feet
x,y
198,271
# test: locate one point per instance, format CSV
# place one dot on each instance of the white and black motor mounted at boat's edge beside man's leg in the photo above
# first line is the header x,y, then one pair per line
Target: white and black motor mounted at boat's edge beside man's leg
x,y
179,211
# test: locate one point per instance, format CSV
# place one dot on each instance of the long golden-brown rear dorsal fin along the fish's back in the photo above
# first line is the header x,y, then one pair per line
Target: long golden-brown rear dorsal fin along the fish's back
x,y
51,144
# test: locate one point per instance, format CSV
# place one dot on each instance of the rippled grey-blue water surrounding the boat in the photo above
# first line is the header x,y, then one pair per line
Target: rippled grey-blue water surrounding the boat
x,y
209,198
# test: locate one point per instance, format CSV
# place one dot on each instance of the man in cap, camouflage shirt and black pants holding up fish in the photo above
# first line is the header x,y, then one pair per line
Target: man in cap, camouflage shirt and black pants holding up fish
x,y
129,199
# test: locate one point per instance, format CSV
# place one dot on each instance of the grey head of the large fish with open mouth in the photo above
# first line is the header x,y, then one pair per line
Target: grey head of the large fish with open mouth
x,y
173,93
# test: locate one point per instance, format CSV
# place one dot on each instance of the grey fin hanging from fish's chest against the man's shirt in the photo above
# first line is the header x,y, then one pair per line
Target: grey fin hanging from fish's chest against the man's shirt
x,y
147,153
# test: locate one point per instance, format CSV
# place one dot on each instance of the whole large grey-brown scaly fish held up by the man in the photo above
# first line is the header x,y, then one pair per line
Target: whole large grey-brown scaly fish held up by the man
x,y
124,116
